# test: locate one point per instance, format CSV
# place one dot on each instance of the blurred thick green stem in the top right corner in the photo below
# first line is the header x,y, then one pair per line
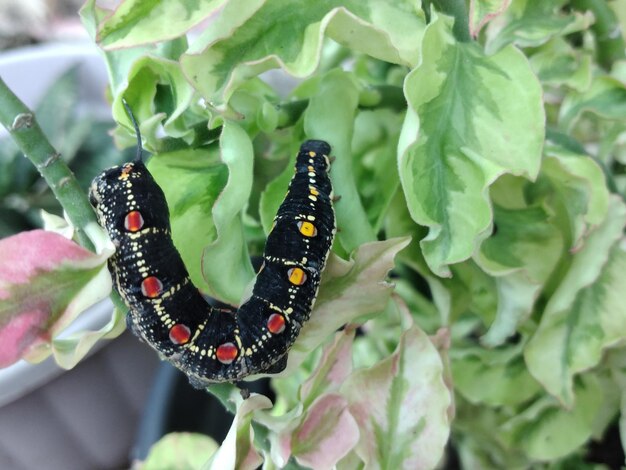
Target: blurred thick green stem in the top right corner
x,y
610,42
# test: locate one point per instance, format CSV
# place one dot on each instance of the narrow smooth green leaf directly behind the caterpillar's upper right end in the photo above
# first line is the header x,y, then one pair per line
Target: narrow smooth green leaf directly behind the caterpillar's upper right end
x,y
330,117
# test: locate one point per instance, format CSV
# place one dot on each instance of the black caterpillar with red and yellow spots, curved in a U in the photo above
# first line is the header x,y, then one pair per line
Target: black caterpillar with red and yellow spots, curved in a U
x,y
168,312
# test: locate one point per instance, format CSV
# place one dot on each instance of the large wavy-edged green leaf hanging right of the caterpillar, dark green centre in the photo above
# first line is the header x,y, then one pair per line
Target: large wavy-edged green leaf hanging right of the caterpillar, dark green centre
x,y
471,118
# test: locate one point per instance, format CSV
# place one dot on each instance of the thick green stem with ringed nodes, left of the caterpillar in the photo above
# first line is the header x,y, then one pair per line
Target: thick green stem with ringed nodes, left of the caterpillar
x,y
25,131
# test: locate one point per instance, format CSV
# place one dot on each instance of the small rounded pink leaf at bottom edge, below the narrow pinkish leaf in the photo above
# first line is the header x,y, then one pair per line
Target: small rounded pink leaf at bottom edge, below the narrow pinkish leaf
x,y
327,433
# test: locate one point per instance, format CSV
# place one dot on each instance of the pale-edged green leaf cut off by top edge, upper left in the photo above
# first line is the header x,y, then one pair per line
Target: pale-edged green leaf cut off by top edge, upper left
x,y
137,22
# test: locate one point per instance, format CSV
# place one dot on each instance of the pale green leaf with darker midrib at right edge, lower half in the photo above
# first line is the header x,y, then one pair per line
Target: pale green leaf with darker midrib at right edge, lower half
x,y
586,313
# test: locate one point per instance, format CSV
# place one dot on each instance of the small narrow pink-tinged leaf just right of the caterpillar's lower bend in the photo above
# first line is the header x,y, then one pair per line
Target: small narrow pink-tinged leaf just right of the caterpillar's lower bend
x,y
334,367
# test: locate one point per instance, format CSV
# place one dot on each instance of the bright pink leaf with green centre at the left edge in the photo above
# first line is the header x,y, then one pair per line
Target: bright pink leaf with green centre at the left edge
x,y
46,280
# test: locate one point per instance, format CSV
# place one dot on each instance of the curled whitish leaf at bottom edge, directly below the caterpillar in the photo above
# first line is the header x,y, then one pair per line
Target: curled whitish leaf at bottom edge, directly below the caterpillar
x,y
237,451
